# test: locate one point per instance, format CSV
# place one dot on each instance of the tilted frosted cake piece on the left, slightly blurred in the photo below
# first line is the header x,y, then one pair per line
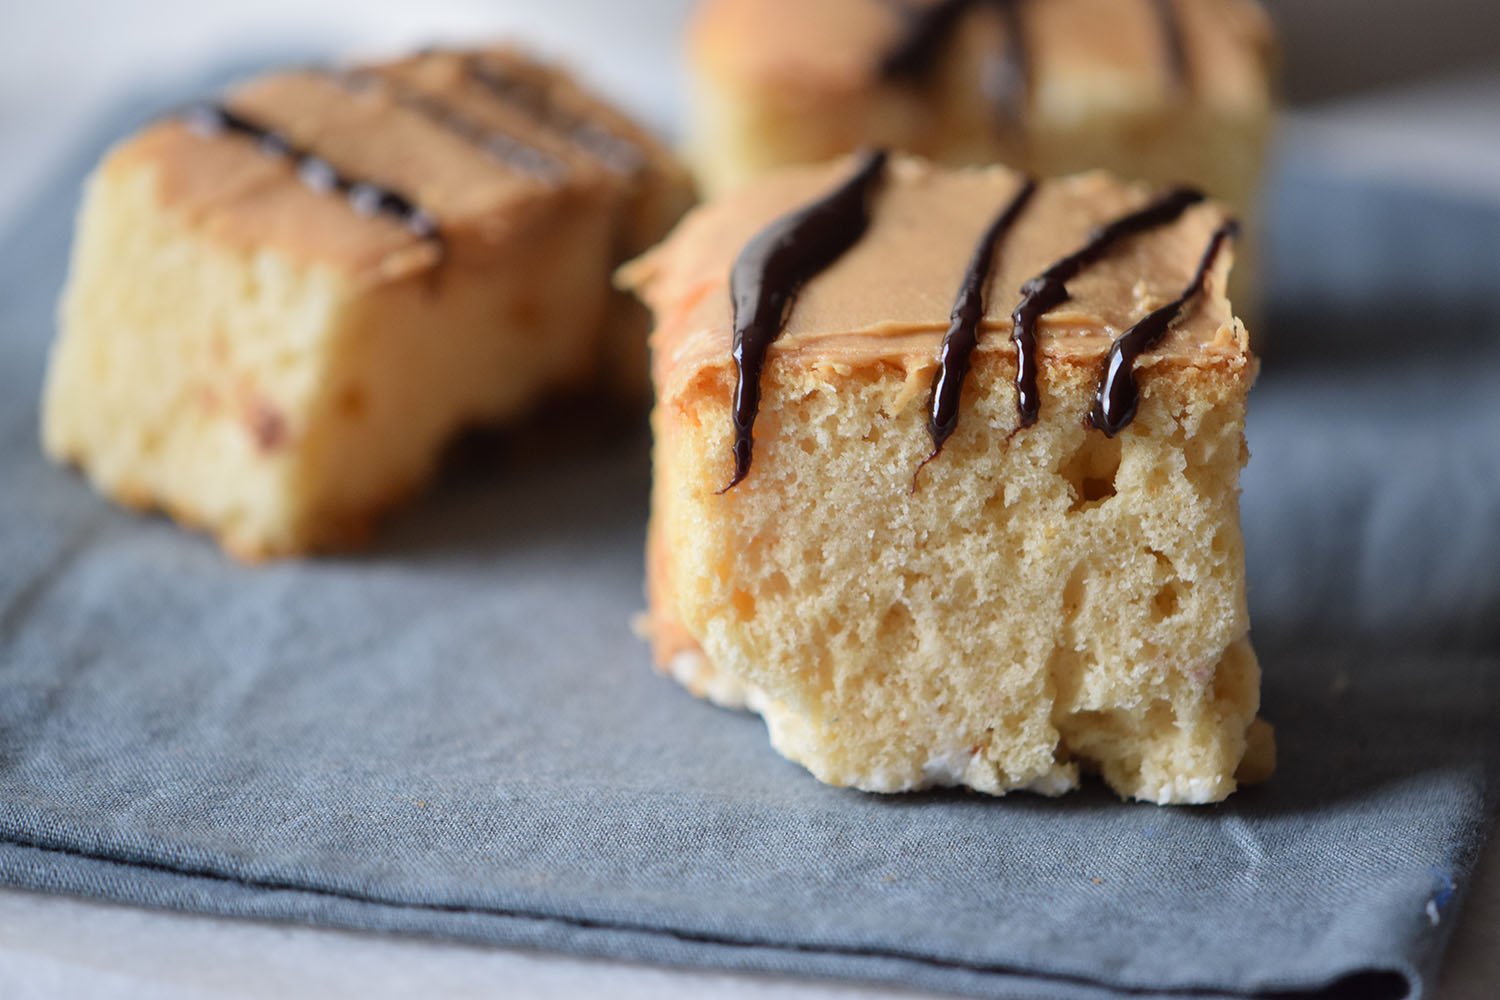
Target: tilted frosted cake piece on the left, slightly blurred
x,y
284,305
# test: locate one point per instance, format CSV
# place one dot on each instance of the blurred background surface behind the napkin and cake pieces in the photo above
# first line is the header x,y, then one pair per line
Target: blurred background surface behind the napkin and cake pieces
x,y
1427,67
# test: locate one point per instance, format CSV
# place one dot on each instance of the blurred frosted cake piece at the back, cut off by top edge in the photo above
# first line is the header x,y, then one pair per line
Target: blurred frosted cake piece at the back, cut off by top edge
x,y
1160,91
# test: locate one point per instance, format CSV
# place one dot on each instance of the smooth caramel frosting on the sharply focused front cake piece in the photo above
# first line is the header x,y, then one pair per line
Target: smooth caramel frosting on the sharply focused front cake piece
x,y
890,296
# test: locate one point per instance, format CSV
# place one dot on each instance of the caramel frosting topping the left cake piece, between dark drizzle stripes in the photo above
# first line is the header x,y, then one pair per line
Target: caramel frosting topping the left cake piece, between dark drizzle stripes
x,y
487,145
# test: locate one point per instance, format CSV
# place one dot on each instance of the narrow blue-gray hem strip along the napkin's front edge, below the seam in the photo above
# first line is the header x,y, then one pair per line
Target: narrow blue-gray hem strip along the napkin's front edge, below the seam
x,y
163,887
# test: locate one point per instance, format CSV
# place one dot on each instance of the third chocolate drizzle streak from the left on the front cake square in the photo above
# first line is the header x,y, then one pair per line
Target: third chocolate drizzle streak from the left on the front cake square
x,y
1049,290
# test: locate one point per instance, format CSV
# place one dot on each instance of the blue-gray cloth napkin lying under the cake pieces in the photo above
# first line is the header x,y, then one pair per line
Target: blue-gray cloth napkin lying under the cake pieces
x,y
457,735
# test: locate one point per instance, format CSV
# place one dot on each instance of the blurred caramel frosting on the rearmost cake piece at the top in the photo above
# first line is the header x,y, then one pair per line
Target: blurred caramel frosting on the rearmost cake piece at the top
x,y
1078,53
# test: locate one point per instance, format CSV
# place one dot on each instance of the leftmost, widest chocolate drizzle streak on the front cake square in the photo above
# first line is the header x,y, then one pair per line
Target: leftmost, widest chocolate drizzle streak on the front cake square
x,y
769,274
